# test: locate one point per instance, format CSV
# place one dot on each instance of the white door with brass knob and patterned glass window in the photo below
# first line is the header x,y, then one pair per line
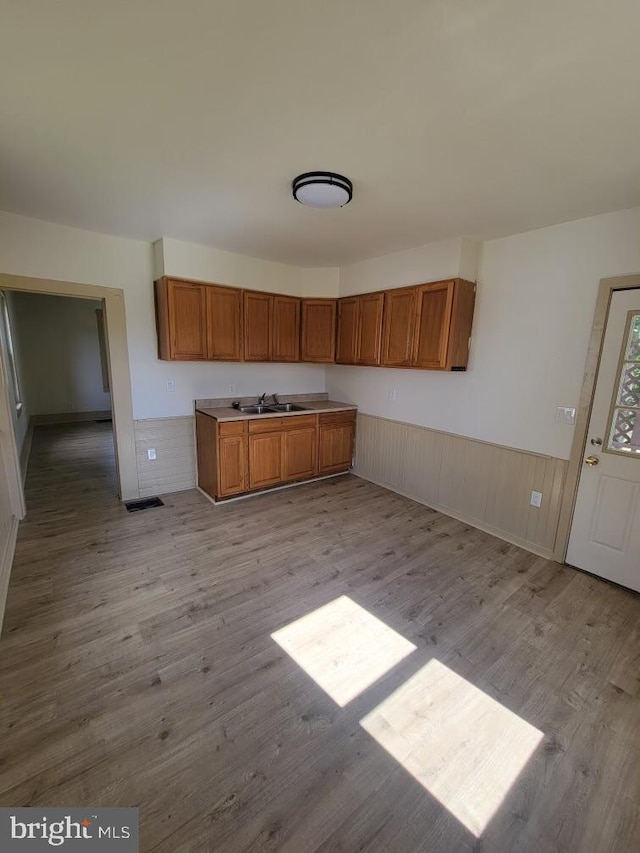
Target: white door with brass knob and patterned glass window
x,y
605,533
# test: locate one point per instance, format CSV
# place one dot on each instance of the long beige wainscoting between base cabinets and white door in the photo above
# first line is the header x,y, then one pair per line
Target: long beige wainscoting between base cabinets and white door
x,y
486,485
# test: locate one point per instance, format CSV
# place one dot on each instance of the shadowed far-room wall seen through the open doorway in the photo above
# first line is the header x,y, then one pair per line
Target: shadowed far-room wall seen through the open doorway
x,y
57,338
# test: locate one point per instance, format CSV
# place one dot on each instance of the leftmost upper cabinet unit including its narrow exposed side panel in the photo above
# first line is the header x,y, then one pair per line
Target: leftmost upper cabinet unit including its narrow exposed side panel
x,y
181,311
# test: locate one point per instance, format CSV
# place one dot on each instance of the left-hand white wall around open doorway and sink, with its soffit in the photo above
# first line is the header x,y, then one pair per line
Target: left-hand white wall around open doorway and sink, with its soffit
x,y
31,247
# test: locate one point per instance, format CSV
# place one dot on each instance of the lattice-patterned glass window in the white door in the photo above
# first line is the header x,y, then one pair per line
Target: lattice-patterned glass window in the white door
x,y
624,426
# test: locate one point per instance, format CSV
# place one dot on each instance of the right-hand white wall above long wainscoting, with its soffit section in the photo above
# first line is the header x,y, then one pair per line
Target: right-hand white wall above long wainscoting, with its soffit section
x,y
534,309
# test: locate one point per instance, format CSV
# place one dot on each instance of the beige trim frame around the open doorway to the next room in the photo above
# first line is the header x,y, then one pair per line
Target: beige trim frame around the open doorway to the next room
x,y
118,359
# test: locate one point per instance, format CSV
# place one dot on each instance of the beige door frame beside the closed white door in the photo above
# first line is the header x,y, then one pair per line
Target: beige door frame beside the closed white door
x,y
570,492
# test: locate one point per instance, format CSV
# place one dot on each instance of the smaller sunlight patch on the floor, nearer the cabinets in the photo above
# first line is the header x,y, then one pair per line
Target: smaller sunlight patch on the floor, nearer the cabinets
x,y
343,647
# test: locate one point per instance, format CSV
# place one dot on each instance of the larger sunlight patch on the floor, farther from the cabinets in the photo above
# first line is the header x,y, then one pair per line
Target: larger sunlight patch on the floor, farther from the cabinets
x,y
465,748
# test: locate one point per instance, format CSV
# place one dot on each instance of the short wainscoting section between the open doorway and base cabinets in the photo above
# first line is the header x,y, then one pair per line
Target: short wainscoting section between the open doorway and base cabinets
x,y
174,468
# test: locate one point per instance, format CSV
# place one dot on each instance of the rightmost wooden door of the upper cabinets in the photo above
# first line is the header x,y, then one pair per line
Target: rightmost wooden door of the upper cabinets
x,y
433,322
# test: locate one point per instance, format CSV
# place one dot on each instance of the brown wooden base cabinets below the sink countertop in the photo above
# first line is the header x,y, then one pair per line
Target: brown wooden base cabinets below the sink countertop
x,y
235,457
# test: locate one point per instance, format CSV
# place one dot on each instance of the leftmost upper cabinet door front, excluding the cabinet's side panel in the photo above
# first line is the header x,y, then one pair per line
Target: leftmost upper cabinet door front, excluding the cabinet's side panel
x,y
186,320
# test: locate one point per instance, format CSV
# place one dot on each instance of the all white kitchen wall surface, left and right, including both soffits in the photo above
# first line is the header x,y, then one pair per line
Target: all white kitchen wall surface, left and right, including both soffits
x,y
535,304
